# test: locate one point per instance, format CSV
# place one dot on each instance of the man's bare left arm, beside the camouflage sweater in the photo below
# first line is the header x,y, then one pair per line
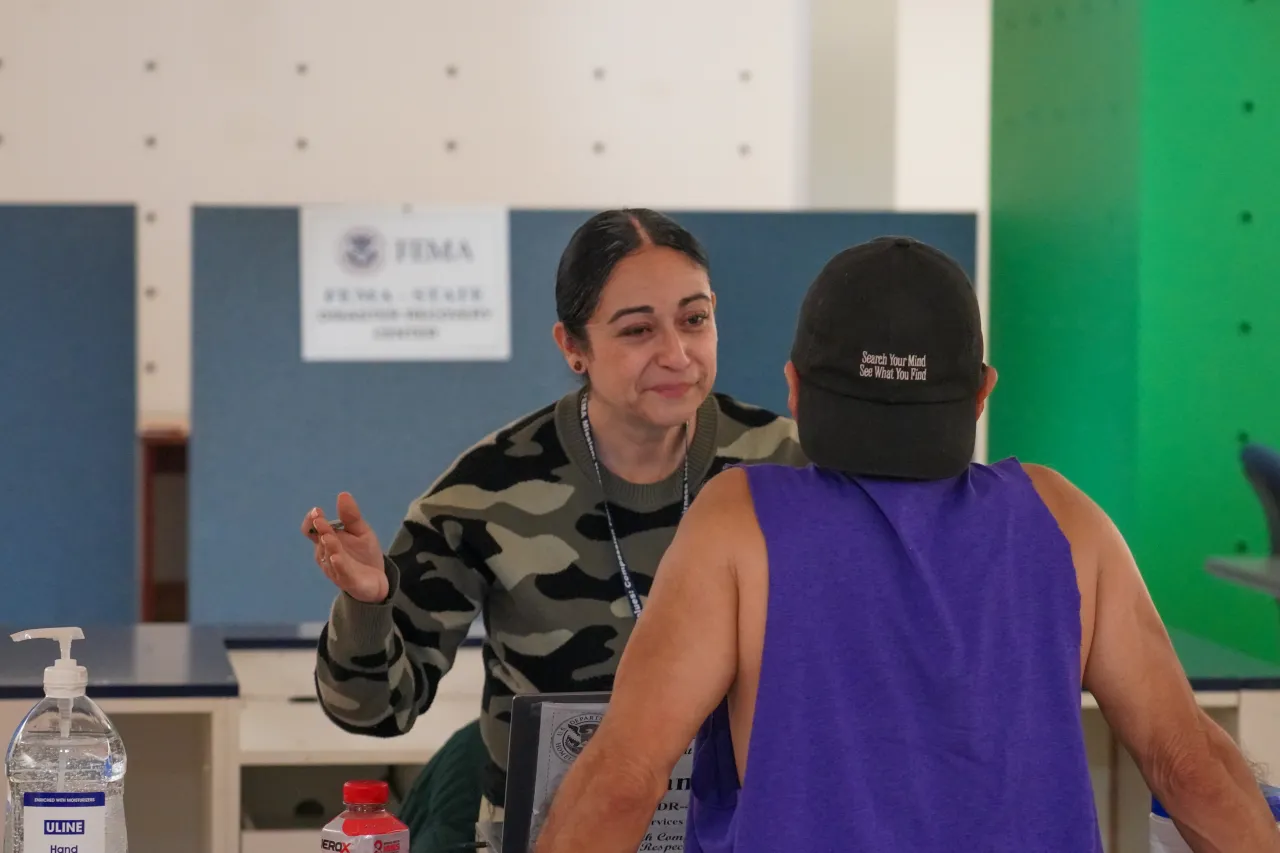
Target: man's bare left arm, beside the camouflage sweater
x,y
679,665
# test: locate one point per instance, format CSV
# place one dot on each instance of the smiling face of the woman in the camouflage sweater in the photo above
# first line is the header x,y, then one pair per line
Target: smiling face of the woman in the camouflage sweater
x,y
652,340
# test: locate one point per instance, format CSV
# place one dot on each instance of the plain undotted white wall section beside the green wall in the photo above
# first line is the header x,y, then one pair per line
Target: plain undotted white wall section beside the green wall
x,y
900,112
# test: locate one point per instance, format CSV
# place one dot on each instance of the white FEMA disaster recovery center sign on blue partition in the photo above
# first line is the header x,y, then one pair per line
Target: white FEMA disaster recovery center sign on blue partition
x,y
405,284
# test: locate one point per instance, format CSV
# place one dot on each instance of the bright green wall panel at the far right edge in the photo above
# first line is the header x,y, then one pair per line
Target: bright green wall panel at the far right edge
x,y
1210,354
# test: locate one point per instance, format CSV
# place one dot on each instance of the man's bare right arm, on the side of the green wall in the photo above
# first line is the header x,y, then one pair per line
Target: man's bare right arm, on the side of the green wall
x,y
1188,761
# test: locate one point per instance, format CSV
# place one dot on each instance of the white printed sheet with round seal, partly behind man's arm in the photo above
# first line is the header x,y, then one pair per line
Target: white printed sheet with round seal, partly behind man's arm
x,y
564,732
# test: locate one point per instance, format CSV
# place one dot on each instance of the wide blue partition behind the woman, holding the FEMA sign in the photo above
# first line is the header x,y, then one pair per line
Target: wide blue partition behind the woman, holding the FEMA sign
x,y
273,436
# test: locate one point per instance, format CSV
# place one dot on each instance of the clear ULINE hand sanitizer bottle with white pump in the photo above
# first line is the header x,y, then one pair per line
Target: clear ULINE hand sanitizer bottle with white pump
x,y
66,767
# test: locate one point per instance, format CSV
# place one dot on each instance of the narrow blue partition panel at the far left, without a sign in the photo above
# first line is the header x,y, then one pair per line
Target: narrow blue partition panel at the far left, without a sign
x,y
68,416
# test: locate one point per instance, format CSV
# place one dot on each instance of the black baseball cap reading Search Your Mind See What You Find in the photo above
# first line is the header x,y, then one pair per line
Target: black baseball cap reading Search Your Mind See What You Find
x,y
889,357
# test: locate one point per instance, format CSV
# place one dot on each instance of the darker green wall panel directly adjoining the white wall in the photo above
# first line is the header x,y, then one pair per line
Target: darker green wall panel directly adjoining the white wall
x,y
1064,266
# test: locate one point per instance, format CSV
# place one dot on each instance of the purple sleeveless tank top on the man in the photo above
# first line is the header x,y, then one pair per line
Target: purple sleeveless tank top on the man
x,y
921,683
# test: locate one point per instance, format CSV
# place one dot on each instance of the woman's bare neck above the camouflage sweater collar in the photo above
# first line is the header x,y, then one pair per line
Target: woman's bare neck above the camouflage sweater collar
x,y
633,450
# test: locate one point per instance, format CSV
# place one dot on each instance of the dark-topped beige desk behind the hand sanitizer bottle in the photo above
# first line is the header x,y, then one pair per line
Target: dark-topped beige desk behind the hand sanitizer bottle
x,y
172,694
